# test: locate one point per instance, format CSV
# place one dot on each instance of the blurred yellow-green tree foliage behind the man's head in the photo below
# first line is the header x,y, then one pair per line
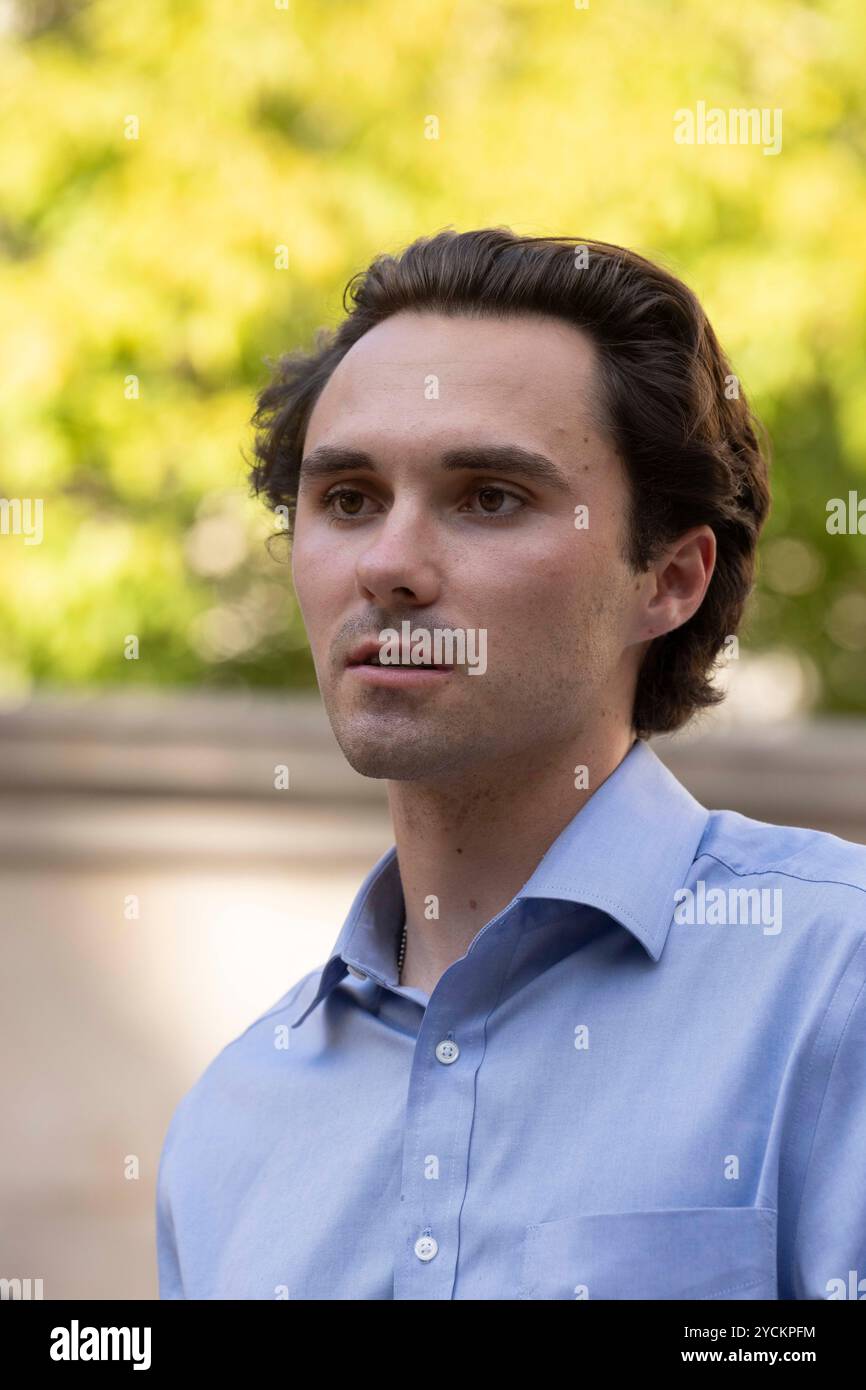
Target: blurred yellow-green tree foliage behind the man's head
x,y
155,161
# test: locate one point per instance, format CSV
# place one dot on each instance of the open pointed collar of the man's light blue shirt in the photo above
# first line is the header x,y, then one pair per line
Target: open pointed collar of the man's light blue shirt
x,y
626,853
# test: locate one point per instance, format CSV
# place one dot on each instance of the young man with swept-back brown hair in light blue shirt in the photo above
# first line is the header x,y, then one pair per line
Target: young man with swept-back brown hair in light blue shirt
x,y
579,1036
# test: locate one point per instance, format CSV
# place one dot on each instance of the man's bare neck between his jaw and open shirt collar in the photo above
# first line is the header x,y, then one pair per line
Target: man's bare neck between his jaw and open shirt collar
x,y
471,843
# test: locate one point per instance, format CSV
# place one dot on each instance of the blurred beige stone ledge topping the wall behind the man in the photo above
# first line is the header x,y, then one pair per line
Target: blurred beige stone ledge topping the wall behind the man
x,y
191,749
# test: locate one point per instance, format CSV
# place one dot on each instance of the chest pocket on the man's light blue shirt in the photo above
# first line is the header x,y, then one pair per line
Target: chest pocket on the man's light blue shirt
x,y
676,1253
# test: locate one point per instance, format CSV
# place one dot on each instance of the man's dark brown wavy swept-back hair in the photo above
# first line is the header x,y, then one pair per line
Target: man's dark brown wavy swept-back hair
x,y
668,401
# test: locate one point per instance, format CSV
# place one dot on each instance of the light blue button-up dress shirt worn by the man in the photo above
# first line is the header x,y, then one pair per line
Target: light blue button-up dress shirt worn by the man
x,y
646,1079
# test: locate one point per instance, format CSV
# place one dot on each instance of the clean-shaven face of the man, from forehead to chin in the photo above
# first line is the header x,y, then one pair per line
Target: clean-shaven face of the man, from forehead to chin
x,y
404,539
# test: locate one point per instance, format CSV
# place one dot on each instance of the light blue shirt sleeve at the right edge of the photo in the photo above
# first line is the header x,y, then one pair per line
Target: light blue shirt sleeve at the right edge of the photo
x,y
831,1235
